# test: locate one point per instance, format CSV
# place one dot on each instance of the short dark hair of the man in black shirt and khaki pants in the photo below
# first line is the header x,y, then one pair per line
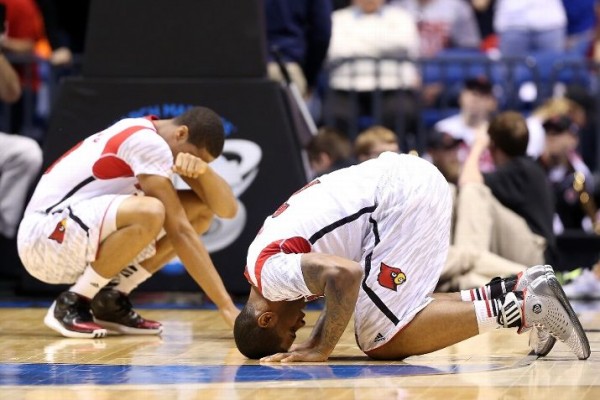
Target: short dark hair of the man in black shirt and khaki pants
x,y
508,130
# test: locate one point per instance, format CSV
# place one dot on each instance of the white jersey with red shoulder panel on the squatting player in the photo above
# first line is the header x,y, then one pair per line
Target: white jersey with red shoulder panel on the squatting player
x,y
104,163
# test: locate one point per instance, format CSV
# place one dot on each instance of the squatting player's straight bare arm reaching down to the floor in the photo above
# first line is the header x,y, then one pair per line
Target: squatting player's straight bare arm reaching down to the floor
x,y
187,244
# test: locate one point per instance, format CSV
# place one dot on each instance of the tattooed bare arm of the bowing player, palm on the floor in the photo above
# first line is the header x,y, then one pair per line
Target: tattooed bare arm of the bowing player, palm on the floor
x,y
339,280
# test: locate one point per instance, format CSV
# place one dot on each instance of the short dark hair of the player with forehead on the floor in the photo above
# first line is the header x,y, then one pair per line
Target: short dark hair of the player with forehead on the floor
x,y
252,340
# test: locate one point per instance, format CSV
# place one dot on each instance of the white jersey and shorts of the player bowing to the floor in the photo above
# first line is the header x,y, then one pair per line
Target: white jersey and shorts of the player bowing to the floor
x,y
391,215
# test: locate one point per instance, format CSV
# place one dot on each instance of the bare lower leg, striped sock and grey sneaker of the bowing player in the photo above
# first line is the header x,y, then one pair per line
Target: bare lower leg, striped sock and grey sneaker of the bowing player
x,y
541,305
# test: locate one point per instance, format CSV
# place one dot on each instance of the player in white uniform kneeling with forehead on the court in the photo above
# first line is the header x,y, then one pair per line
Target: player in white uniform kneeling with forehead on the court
x,y
372,239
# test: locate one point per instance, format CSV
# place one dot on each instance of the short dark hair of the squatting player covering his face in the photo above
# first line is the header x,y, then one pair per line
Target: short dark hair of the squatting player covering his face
x,y
205,129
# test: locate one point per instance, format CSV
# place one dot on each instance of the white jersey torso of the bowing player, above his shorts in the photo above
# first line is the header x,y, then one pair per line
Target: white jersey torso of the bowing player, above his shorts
x,y
330,214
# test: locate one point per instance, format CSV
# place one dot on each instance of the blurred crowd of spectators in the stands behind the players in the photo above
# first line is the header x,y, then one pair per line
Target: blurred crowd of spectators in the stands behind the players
x,y
415,76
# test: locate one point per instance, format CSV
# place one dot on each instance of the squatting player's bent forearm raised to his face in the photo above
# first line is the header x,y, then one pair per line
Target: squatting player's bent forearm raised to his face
x,y
215,192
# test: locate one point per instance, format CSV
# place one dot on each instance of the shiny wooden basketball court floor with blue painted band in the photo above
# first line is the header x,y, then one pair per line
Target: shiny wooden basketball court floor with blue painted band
x,y
196,359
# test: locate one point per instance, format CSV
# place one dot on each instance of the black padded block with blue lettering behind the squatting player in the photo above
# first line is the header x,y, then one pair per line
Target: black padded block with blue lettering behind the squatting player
x,y
257,111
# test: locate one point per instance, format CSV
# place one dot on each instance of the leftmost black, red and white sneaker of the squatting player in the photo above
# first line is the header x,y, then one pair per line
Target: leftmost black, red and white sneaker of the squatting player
x,y
70,316
